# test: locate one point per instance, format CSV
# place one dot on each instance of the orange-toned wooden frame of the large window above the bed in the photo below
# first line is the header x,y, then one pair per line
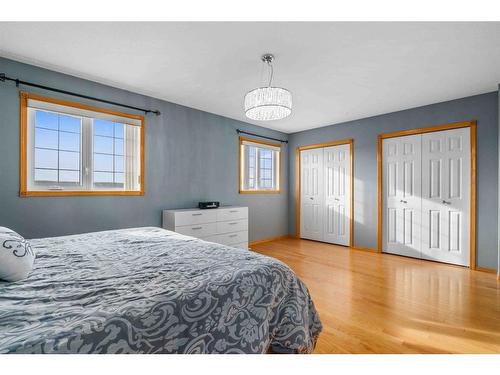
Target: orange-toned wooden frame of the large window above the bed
x,y
24,192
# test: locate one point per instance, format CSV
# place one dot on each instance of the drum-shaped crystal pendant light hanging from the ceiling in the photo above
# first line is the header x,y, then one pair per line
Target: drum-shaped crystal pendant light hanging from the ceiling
x,y
268,103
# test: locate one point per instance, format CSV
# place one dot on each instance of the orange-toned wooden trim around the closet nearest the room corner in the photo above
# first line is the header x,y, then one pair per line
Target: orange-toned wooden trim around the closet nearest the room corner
x,y
349,142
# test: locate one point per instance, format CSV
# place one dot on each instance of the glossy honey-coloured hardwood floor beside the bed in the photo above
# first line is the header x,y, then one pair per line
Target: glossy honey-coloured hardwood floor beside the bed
x,y
380,303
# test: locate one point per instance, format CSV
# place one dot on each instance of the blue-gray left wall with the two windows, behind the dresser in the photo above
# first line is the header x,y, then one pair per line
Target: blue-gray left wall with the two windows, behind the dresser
x,y
190,156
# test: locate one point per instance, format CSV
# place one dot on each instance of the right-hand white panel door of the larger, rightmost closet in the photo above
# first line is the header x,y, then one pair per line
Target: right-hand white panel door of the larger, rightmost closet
x,y
446,196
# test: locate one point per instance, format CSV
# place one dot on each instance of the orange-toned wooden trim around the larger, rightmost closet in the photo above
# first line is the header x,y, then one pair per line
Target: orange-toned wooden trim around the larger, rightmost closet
x,y
456,125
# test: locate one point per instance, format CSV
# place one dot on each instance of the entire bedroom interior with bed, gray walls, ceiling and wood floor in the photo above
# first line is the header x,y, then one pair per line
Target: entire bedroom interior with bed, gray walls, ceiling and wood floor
x,y
356,203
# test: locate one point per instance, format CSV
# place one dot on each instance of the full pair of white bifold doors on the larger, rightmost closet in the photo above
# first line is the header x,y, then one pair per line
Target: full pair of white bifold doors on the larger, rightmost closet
x,y
426,196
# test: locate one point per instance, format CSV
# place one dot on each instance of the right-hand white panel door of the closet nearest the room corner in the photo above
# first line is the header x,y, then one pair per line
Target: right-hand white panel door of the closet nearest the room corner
x,y
337,172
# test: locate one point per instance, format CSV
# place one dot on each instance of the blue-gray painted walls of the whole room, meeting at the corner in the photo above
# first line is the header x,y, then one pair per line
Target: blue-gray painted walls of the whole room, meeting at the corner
x,y
192,155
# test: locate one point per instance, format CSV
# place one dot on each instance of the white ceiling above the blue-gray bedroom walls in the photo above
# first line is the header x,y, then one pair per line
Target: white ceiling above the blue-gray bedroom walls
x,y
336,71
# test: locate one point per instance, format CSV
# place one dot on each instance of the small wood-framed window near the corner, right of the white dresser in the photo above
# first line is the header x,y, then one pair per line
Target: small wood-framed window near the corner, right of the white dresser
x,y
260,166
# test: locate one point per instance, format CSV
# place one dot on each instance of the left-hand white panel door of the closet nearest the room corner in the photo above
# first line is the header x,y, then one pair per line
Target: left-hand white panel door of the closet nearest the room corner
x,y
312,195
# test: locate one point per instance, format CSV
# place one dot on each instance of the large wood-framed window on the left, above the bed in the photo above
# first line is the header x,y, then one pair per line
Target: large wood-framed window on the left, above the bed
x,y
73,149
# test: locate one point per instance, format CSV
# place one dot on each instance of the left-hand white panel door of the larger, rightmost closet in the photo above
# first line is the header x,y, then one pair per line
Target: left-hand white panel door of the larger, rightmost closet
x,y
401,199
